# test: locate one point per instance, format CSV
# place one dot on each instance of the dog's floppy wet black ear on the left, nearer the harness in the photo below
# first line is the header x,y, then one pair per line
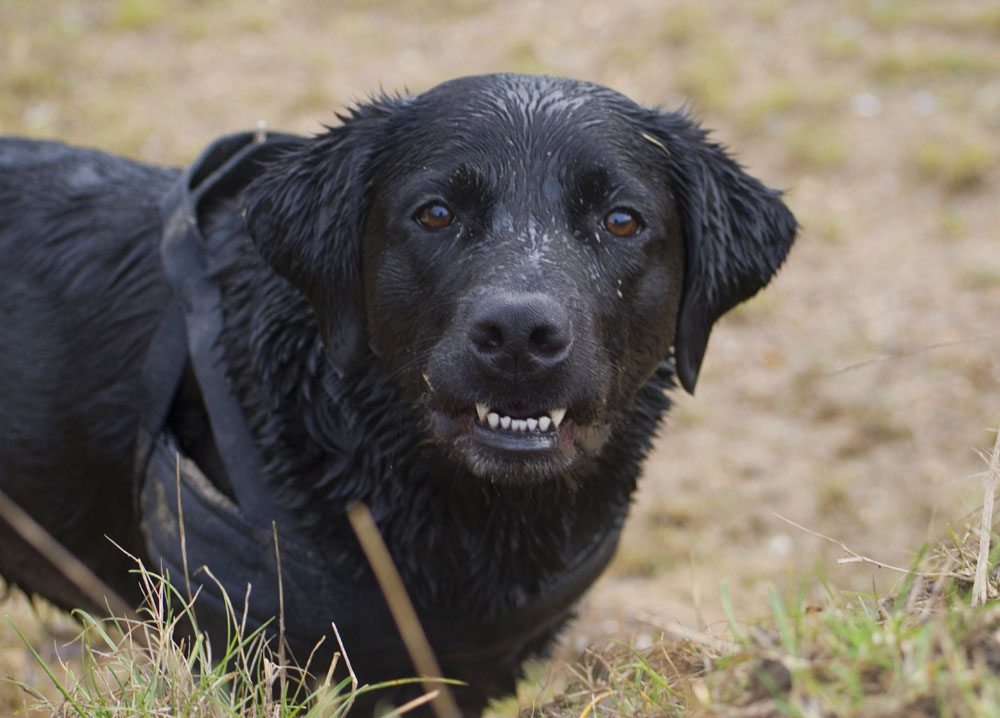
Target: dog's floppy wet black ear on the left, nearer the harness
x,y
306,215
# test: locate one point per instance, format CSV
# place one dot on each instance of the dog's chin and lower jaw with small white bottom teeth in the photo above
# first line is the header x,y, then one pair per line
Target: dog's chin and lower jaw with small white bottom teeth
x,y
517,452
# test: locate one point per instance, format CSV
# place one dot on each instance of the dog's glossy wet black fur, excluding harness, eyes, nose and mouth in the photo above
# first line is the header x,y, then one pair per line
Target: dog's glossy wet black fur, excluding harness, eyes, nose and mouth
x,y
348,325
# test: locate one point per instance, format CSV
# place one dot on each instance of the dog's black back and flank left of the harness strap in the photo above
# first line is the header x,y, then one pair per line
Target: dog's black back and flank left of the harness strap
x,y
80,291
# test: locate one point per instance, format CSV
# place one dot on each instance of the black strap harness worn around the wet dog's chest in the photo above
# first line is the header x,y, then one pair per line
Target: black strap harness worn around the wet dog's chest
x,y
234,539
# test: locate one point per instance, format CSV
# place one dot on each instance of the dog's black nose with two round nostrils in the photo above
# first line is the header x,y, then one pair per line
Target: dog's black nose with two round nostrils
x,y
525,334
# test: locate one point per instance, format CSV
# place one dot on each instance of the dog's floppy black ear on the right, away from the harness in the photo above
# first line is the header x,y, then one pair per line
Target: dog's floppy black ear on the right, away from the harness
x,y
736,234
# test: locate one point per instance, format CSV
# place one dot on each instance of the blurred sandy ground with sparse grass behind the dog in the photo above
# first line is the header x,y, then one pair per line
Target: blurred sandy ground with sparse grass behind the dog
x,y
851,397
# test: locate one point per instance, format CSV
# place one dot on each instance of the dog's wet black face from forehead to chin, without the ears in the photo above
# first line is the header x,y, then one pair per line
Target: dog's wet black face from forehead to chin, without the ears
x,y
523,266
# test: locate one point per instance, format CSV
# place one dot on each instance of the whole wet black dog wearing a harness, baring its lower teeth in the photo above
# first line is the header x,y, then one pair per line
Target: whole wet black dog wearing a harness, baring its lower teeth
x,y
462,308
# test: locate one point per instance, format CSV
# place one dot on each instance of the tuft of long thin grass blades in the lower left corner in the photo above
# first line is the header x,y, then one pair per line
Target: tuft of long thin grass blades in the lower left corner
x,y
159,664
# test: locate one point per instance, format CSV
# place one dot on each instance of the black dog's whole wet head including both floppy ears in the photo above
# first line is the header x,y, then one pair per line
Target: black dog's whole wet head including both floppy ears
x,y
522,253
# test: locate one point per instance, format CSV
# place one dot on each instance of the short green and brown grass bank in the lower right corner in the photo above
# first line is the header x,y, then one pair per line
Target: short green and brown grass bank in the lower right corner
x,y
924,650
